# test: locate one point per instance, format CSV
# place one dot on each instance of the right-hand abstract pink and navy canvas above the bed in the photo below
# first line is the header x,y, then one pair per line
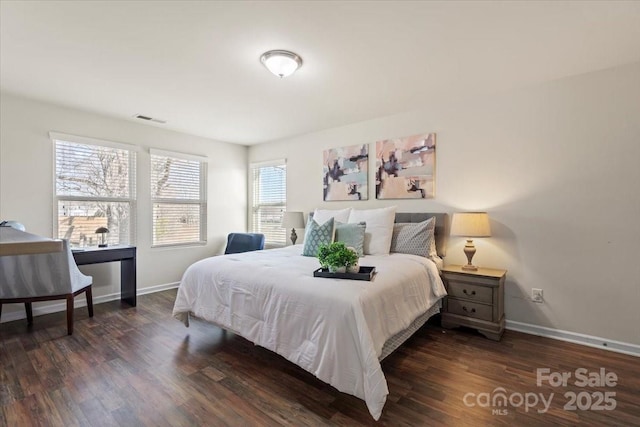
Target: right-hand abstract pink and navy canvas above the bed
x,y
405,167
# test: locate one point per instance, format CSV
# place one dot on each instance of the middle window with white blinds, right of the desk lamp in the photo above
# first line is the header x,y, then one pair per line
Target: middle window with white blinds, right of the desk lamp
x,y
179,198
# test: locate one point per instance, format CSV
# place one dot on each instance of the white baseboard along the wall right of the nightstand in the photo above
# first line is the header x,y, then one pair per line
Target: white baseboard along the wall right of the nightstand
x,y
587,340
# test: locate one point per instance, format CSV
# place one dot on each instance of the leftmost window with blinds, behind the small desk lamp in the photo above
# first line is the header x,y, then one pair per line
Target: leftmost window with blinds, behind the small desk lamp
x,y
94,187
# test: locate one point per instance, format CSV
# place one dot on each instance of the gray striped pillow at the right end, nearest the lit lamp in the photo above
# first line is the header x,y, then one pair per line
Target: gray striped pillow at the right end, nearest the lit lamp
x,y
414,238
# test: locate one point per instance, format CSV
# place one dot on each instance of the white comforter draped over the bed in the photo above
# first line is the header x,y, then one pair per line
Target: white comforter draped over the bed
x,y
334,329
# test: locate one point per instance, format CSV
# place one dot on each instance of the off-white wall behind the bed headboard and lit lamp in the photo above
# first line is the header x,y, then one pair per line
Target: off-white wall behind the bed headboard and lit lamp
x,y
557,166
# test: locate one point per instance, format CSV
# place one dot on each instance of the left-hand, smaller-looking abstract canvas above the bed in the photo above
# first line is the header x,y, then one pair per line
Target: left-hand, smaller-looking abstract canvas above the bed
x,y
345,173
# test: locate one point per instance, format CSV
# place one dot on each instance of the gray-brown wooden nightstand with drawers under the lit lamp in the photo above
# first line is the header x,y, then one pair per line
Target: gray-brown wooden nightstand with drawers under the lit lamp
x,y
476,300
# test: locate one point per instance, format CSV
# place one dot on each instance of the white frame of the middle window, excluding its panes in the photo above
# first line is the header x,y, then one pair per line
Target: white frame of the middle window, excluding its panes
x,y
201,201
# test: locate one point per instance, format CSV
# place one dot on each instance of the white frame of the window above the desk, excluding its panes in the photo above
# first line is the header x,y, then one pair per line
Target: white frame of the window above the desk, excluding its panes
x,y
132,184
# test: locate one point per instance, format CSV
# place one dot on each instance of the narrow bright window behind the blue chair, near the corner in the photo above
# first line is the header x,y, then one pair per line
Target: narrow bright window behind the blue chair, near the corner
x,y
269,200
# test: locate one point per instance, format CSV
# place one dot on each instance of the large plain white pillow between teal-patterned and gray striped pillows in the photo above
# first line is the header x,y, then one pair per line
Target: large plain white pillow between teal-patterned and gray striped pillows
x,y
377,236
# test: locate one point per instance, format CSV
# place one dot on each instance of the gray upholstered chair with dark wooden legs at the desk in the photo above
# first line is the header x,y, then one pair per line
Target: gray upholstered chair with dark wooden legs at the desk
x,y
43,277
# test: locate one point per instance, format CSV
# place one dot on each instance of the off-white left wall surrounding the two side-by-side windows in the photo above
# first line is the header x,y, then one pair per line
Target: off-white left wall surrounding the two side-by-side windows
x,y
26,185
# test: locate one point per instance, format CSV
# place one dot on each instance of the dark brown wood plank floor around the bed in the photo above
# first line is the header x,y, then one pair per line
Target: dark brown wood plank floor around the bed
x,y
139,366
